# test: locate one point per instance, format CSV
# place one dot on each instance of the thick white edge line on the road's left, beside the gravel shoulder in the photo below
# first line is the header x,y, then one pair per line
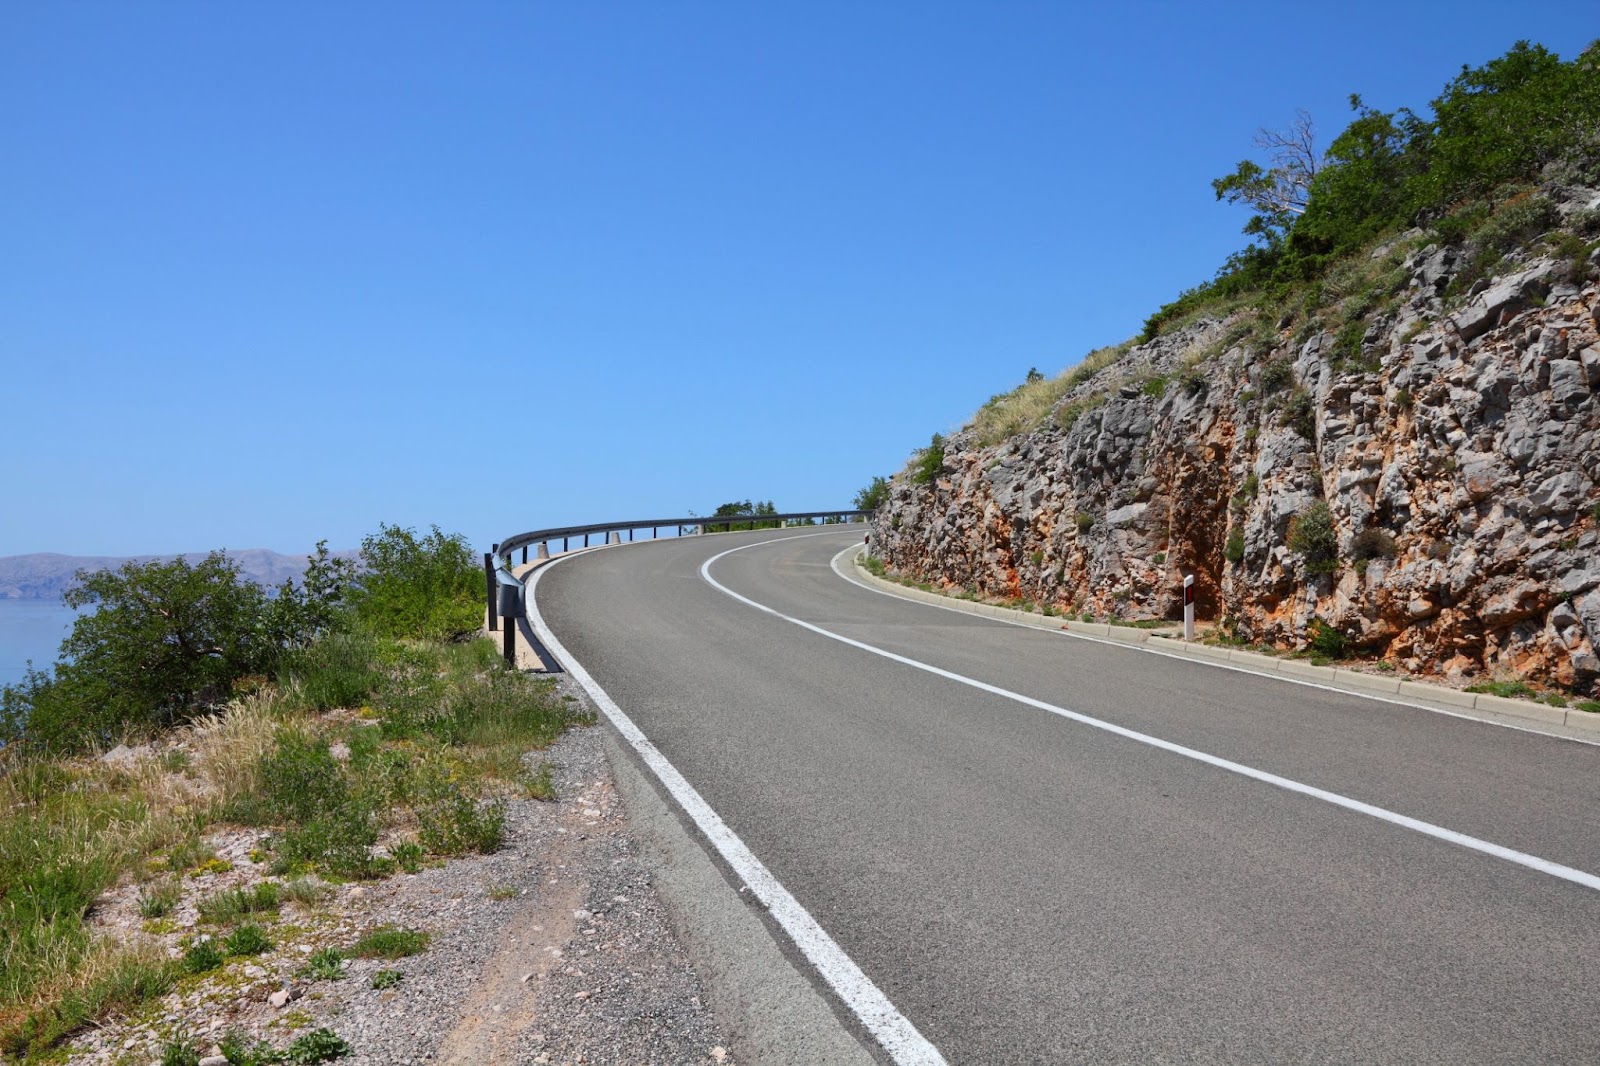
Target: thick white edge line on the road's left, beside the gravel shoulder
x,y
892,1030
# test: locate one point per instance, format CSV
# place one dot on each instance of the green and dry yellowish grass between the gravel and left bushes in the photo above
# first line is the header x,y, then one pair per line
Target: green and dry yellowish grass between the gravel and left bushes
x,y
447,734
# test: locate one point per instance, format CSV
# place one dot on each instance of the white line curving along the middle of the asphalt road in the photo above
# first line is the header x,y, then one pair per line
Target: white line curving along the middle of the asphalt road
x,y
1439,833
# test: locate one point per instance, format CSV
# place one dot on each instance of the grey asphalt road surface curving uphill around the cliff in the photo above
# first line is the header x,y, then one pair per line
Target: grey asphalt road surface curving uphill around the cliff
x,y
1028,889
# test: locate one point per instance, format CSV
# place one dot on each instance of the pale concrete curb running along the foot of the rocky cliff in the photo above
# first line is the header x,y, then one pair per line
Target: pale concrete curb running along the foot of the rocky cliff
x,y
1482,707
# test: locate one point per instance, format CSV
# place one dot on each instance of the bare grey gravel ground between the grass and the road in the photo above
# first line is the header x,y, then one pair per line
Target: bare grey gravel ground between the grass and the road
x,y
554,950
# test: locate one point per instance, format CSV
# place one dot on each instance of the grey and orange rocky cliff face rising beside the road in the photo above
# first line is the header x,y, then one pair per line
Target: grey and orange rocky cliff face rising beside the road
x,y
1410,455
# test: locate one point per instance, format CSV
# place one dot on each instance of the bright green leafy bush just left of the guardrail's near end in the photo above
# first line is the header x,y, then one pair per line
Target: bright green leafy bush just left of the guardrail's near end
x,y
418,588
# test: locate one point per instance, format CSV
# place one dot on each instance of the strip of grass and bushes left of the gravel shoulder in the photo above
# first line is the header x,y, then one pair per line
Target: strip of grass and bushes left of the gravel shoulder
x,y
366,745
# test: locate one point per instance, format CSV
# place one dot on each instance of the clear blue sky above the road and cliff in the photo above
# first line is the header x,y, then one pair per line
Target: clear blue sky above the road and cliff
x,y
278,273
